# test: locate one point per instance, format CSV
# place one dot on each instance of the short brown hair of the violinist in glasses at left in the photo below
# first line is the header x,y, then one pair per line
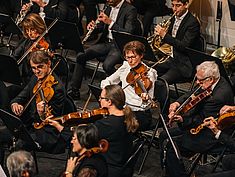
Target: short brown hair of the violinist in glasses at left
x,y
40,56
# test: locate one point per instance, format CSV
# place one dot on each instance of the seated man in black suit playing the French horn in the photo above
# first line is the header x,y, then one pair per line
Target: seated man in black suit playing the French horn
x,y
184,31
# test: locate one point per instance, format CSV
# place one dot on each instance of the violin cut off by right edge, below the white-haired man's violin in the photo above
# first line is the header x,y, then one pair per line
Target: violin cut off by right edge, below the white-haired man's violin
x,y
224,121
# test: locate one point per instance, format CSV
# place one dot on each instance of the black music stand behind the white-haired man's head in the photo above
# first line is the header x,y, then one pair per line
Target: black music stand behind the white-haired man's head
x,y
197,57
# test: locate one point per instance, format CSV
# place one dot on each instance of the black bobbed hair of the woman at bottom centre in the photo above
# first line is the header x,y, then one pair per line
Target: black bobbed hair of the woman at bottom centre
x,y
87,135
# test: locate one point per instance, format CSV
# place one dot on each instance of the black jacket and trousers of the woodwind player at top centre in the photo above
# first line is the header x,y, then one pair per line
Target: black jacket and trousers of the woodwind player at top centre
x,y
105,50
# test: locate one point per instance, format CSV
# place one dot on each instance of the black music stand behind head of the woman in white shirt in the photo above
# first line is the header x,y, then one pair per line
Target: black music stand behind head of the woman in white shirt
x,y
121,38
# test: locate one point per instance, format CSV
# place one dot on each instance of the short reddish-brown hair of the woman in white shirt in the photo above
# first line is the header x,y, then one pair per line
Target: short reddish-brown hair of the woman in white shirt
x,y
134,46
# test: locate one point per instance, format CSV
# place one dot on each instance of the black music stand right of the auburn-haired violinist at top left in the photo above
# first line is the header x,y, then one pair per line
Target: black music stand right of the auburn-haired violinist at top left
x,y
64,35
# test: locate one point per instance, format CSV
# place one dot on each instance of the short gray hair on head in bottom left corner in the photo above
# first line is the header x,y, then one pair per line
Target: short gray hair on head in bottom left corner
x,y
20,161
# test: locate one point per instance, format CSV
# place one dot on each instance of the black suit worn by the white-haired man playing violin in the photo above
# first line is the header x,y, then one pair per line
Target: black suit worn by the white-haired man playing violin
x,y
202,142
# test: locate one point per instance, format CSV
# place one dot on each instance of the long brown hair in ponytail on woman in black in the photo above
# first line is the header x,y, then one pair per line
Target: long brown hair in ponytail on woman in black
x,y
117,96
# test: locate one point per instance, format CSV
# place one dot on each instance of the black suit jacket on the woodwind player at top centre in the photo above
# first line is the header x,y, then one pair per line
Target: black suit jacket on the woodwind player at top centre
x,y
126,21
